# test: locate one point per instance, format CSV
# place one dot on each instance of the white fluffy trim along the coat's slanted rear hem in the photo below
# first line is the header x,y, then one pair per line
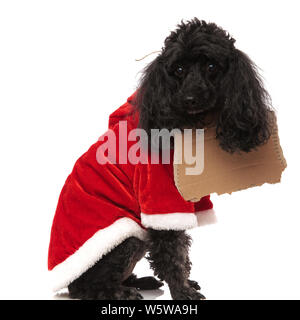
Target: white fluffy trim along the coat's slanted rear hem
x,y
102,242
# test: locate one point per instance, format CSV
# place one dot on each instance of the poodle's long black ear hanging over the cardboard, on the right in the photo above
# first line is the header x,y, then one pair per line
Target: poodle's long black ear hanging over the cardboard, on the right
x,y
245,119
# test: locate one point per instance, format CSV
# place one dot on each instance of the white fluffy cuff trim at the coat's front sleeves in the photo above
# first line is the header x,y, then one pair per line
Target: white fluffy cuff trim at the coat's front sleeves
x,y
177,220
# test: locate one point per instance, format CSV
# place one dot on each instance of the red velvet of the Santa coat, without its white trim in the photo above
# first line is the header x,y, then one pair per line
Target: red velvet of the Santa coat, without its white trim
x,y
95,196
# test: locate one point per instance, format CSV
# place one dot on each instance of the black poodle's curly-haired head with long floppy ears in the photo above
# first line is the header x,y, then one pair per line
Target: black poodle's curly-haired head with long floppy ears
x,y
199,73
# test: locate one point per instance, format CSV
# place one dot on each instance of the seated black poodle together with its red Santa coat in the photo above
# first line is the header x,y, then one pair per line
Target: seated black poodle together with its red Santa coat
x,y
198,75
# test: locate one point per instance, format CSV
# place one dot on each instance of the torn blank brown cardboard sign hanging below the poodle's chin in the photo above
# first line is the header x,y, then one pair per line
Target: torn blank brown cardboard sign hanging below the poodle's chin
x,y
226,173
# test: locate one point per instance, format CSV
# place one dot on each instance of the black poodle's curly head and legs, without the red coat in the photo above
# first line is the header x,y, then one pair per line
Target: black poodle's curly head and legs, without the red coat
x,y
198,73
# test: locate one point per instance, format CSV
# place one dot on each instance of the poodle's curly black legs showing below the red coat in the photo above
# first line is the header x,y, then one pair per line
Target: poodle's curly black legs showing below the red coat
x,y
111,278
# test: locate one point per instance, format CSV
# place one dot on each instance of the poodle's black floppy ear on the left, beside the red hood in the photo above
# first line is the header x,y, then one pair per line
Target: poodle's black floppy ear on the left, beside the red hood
x,y
153,95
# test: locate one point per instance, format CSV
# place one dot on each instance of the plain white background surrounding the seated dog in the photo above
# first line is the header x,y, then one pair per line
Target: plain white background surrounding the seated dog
x,y
66,65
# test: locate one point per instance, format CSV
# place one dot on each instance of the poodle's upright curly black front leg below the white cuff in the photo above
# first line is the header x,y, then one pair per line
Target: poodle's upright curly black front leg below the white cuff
x,y
168,257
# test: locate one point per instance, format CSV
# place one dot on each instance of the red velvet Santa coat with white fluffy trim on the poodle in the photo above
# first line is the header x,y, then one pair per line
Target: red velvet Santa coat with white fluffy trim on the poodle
x,y
101,205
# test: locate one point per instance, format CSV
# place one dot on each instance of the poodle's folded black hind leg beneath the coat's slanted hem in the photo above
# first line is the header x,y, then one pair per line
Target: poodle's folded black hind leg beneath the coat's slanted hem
x,y
105,279
